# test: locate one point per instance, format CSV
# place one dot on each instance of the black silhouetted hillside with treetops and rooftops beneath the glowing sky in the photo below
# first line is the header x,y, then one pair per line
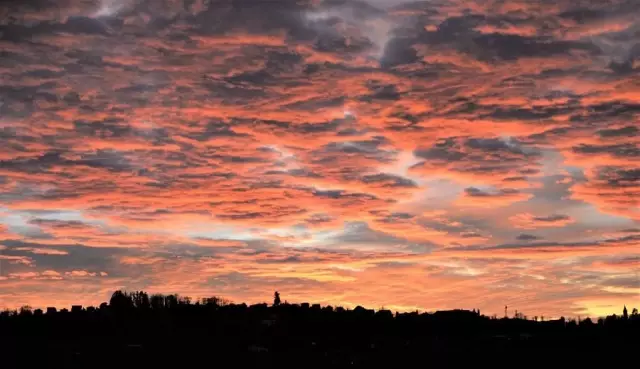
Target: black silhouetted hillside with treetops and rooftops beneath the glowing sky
x,y
135,330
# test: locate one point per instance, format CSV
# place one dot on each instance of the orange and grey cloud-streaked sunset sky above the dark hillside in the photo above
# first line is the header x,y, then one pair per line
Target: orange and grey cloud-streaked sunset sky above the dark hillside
x,y
409,155
